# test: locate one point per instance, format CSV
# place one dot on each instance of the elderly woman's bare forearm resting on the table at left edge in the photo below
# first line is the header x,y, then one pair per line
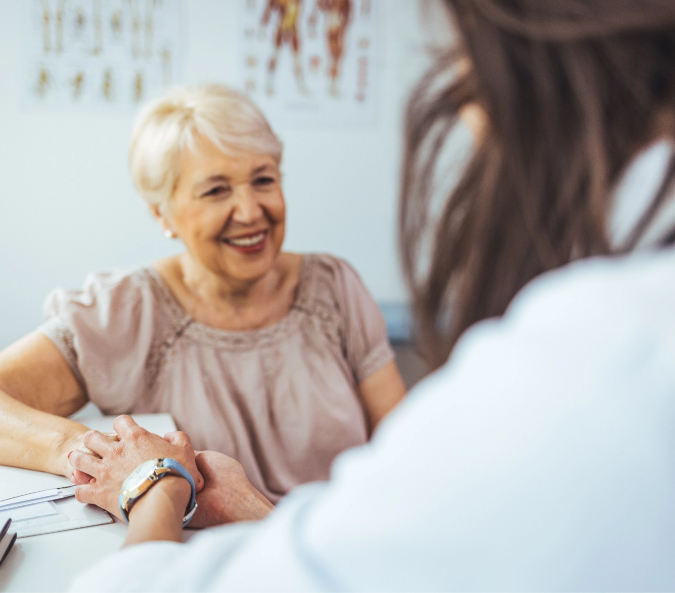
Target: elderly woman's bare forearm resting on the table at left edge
x,y
36,440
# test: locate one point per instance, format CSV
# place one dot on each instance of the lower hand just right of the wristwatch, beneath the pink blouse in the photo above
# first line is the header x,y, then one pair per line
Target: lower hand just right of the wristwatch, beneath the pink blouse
x,y
228,496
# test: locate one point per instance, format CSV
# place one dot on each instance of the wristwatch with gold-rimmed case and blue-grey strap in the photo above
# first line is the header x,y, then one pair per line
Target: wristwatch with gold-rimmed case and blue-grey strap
x,y
145,476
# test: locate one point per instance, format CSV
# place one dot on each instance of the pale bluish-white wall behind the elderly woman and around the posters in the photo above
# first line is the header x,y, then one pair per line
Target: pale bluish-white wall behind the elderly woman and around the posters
x,y
67,205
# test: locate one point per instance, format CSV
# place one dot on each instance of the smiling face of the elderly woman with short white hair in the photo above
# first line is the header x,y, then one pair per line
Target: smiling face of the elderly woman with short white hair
x,y
229,211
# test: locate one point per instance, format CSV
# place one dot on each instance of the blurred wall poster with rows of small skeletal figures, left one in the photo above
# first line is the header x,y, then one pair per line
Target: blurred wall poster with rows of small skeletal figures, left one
x,y
103,53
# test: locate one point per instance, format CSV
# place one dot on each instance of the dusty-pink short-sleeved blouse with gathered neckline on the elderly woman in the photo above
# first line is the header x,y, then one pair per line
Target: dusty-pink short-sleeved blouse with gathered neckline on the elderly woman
x,y
282,400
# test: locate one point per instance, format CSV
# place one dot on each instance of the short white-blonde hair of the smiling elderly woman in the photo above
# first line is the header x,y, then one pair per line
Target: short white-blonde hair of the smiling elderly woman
x,y
170,124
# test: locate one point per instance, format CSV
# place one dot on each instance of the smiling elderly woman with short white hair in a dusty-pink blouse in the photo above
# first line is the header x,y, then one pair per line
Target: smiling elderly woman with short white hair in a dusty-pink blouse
x,y
276,359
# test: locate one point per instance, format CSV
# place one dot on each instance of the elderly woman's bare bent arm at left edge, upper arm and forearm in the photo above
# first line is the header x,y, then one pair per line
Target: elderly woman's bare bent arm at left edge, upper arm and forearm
x,y
37,388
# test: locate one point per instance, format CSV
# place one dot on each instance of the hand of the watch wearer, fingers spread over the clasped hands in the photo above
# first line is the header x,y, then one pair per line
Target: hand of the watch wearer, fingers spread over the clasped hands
x,y
113,461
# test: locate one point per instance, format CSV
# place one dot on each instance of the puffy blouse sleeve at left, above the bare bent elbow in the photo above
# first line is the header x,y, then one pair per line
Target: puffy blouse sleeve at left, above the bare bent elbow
x,y
105,331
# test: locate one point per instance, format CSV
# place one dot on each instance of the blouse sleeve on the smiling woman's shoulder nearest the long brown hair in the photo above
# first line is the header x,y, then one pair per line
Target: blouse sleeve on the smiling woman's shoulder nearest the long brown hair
x,y
364,331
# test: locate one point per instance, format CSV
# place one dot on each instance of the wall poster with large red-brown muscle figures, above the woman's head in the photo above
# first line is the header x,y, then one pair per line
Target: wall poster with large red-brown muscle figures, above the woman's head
x,y
311,61
